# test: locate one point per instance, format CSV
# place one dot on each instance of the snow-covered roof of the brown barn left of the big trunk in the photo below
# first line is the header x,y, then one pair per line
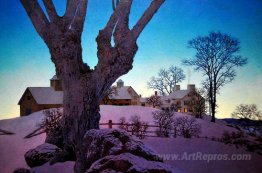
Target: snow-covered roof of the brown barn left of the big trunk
x,y
46,95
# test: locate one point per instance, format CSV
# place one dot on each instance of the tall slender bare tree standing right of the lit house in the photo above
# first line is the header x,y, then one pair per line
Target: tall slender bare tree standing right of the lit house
x,y
216,56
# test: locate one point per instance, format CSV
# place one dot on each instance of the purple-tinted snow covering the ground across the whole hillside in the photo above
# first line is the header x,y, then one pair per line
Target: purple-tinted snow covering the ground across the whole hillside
x,y
13,147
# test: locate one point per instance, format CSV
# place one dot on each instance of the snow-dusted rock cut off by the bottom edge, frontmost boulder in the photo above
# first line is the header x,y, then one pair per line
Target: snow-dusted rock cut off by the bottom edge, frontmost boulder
x,y
127,163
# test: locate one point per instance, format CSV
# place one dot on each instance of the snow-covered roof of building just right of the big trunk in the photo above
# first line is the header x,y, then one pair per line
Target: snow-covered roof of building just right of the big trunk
x,y
124,92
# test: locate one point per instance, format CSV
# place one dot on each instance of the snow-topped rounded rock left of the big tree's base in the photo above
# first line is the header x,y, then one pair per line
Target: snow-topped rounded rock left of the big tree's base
x,y
41,154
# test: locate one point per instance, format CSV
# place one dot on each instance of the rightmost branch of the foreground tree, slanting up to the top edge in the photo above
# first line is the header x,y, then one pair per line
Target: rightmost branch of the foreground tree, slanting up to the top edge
x,y
147,16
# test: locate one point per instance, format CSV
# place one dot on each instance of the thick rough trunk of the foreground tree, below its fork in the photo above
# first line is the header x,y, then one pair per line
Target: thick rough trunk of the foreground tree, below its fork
x,y
81,111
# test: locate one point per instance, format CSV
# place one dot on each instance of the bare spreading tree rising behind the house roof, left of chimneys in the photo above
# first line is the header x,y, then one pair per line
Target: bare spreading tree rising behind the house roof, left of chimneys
x,y
166,80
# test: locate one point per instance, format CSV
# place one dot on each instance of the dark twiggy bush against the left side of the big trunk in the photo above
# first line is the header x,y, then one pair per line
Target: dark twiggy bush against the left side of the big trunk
x,y
53,126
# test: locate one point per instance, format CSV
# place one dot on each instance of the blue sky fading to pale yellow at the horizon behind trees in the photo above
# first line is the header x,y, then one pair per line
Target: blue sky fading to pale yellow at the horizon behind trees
x,y
25,59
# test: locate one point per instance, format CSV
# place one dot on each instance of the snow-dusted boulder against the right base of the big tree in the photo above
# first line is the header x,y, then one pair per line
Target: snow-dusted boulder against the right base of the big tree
x,y
104,142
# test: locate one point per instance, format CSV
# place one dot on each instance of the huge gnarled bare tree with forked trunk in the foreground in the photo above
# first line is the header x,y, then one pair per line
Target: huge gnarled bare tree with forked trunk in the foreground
x,y
84,87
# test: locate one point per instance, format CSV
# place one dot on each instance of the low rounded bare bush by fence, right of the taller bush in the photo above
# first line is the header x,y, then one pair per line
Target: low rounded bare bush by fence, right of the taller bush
x,y
186,127
